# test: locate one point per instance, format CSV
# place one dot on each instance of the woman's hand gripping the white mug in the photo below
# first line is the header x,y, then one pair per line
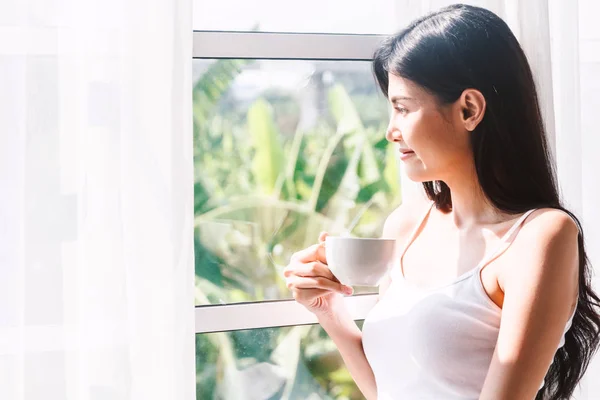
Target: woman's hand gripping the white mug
x,y
312,283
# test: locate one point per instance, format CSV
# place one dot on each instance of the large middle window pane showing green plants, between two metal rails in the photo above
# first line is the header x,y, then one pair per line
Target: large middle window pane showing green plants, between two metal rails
x,y
283,150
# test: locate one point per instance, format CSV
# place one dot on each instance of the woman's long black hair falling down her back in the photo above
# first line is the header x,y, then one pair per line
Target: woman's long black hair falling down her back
x,y
461,47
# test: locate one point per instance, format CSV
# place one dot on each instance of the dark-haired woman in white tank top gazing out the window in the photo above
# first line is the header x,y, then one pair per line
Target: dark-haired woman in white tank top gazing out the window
x,y
491,298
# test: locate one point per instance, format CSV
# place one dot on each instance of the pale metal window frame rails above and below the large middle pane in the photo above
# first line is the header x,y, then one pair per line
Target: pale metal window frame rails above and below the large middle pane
x,y
277,46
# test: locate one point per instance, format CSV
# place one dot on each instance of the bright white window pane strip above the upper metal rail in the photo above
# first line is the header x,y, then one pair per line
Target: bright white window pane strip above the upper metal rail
x,y
319,16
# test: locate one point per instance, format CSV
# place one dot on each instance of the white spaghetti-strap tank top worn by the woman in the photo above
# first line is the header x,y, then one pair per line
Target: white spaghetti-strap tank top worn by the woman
x,y
435,343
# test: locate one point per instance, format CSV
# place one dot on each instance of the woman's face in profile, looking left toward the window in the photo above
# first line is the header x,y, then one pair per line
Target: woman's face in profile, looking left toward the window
x,y
432,140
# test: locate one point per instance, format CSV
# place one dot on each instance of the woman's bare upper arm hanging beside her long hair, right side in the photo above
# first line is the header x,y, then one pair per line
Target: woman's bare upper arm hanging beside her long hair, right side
x,y
540,292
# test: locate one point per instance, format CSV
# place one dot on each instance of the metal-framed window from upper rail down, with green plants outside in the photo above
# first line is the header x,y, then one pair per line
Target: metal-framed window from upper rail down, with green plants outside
x,y
288,141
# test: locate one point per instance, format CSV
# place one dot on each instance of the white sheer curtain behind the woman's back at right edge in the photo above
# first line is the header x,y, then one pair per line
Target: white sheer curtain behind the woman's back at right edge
x,y
576,82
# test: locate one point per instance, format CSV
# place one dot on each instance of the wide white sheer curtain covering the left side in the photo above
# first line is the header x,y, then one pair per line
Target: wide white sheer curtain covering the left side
x,y
96,200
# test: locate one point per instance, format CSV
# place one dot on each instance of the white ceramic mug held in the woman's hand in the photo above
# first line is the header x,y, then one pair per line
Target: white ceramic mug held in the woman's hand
x,y
359,261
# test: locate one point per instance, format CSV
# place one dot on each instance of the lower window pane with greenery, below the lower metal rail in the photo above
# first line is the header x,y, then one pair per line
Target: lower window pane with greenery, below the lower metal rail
x,y
265,363
